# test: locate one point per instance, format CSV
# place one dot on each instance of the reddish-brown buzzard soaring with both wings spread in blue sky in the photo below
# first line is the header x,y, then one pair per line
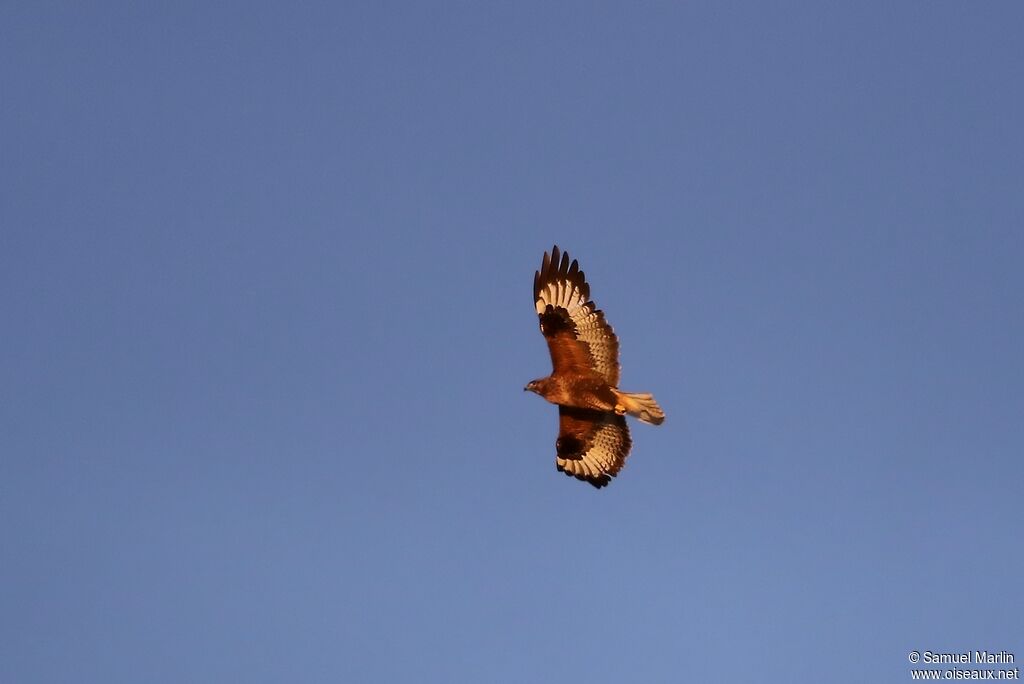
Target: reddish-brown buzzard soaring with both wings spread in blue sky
x,y
593,440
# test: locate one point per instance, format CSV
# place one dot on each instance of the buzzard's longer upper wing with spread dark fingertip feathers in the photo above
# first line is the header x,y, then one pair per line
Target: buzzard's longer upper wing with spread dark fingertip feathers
x,y
579,337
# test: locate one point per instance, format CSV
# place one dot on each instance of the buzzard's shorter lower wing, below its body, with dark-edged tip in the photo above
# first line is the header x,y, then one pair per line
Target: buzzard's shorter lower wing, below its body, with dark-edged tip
x,y
592,446
